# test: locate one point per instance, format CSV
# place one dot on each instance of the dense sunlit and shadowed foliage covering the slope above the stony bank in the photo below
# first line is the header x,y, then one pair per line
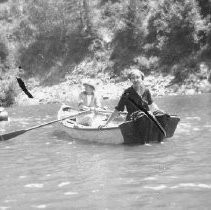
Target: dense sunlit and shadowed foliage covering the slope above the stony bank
x,y
50,39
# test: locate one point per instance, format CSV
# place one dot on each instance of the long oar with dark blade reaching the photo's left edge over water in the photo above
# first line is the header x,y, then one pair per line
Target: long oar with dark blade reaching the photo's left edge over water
x,y
19,132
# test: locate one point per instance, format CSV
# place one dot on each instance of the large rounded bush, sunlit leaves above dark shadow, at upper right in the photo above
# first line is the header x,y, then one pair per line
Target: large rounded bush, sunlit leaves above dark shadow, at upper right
x,y
174,30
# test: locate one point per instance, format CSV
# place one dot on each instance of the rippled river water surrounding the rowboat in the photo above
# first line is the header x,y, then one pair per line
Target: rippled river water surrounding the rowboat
x,y
45,169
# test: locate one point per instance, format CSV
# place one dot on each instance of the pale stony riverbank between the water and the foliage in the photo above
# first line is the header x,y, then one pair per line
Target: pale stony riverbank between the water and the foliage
x,y
68,90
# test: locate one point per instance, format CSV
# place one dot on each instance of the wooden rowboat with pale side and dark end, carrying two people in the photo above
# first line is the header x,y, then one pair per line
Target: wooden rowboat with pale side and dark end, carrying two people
x,y
119,131
